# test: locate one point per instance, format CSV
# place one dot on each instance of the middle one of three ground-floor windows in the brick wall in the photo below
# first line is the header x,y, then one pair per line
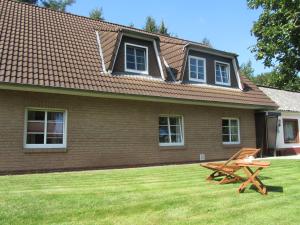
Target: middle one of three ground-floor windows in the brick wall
x,y
170,130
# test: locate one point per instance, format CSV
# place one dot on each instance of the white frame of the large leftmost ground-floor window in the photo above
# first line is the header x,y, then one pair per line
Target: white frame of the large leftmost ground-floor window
x,y
46,146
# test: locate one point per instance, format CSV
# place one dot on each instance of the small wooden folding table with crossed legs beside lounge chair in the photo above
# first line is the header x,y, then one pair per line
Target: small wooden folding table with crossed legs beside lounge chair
x,y
253,175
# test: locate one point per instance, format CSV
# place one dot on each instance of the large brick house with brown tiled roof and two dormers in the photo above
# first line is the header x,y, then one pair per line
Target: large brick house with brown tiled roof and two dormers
x,y
80,93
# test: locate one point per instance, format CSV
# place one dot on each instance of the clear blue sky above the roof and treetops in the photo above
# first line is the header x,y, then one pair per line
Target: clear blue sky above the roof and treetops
x,y
226,24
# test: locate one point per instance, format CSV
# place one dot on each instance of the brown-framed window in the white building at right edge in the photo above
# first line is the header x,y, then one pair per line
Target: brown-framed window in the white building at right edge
x,y
290,130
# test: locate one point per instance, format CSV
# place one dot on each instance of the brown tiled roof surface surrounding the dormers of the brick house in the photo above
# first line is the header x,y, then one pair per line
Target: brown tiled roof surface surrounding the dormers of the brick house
x,y
45,48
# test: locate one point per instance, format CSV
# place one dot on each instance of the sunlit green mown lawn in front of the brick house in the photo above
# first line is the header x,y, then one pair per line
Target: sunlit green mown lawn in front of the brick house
x,y
155,195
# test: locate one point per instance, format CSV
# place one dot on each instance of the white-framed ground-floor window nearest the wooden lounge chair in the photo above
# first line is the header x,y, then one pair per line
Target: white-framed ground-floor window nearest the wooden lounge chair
x,y
230,131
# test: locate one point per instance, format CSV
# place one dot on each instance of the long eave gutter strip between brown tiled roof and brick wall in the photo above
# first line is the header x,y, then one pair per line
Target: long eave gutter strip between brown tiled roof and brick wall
x,y
98,94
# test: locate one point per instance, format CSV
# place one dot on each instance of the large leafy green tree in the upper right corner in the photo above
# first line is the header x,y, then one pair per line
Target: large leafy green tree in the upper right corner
x,y
278,34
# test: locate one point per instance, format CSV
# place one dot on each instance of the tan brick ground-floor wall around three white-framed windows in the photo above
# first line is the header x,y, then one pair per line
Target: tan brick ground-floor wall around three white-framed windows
x,y
109,132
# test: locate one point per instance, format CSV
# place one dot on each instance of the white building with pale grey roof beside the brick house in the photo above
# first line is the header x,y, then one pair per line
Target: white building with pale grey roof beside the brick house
x,y
287,127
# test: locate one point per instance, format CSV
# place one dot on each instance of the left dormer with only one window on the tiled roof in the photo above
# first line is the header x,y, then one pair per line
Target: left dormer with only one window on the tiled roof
x,y
132,53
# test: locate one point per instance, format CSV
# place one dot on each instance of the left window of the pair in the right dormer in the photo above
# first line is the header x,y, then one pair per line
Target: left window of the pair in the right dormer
x,y
197,70
